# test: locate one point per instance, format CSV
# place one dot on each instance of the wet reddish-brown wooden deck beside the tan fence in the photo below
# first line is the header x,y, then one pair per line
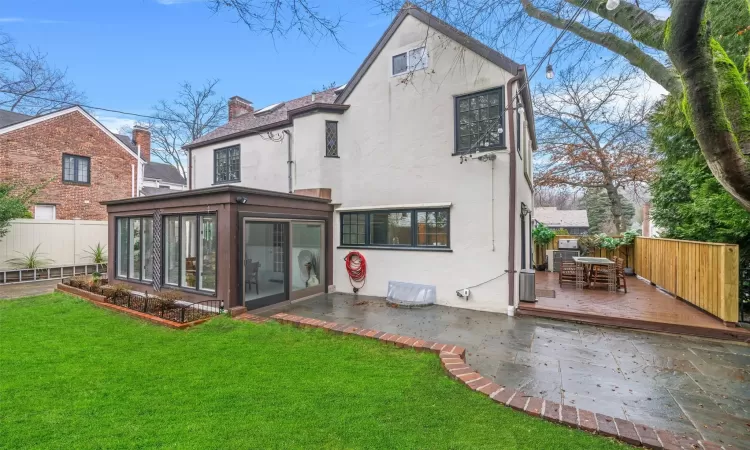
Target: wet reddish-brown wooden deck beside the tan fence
x,y
643,307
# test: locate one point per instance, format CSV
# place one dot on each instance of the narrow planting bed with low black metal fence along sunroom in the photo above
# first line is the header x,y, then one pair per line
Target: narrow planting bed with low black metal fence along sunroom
x,y
174,311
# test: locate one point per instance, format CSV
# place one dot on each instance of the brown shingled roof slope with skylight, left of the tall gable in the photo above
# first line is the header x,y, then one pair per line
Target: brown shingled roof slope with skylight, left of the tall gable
x,y
276,117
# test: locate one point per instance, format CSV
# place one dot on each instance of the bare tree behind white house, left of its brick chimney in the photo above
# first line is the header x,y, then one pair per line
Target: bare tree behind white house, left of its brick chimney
x,y
191,114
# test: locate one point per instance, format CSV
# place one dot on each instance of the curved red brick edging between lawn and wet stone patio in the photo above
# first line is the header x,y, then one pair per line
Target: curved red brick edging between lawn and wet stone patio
x,y
453,360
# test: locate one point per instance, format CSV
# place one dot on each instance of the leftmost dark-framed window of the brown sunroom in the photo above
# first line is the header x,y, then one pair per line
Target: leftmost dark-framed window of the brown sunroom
x,y
135,248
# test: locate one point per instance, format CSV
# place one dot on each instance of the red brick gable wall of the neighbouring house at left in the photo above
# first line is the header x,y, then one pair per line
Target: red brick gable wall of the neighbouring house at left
x,y
33,154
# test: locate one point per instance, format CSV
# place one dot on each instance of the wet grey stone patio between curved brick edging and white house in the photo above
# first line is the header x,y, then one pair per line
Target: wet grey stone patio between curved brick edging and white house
x,y
687,385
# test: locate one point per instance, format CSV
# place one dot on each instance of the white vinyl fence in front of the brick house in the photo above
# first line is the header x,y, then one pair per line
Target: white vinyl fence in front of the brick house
x,y
64,242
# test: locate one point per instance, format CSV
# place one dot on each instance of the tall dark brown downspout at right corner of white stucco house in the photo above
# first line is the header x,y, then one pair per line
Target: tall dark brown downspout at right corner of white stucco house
x,y
512,189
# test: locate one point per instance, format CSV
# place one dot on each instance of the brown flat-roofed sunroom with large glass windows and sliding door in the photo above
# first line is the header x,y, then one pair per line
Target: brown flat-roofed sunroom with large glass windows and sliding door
x,y
247,247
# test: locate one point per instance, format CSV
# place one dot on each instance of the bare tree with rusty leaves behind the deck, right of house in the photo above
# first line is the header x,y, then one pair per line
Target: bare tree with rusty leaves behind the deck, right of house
x,y
592,133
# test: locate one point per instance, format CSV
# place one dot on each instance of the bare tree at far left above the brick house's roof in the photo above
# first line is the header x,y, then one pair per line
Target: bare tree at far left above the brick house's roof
x,y
28,84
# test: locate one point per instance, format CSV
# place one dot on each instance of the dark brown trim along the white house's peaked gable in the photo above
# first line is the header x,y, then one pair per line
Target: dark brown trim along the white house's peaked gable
x,y
441,27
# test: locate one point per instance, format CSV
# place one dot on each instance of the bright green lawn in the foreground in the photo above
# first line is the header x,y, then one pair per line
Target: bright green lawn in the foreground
x,y
76,376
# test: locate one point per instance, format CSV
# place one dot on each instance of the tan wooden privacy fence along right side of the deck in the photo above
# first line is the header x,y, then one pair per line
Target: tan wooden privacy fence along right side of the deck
x,y
702,273
